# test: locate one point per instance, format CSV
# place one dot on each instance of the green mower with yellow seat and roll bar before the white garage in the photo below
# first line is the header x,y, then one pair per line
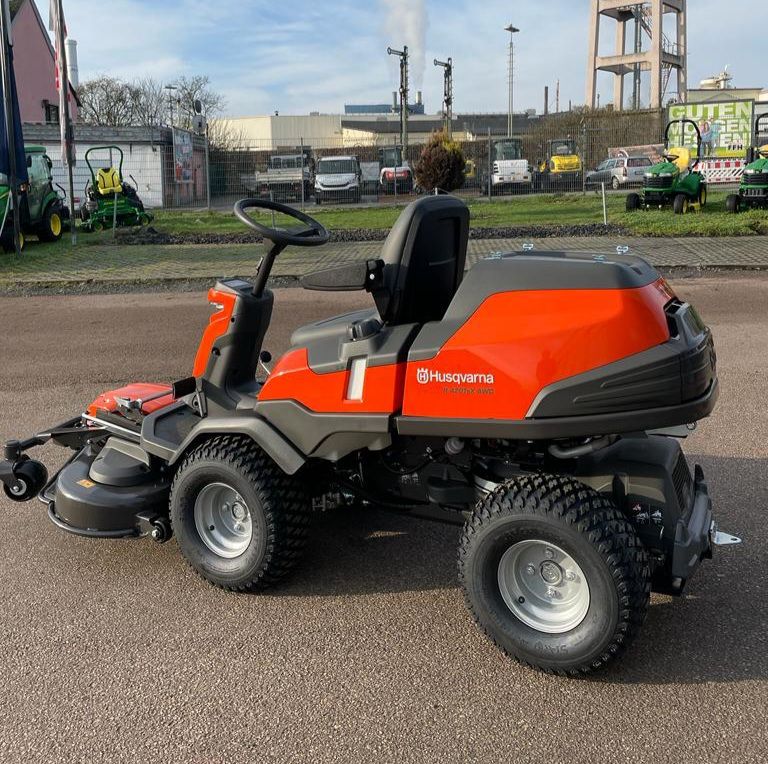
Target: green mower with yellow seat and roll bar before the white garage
x,y
108,198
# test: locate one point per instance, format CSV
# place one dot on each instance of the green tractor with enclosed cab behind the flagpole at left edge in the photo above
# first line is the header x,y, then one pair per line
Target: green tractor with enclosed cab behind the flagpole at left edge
x,y
41,207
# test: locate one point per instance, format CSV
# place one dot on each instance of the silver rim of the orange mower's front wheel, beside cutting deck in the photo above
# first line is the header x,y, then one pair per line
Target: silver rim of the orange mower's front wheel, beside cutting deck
x,y
223,520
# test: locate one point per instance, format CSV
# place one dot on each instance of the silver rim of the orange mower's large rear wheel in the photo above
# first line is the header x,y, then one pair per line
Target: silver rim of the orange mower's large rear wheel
x,y
543,586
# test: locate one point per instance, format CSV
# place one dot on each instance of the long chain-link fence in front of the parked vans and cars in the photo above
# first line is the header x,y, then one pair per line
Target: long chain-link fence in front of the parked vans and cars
x,y
572,152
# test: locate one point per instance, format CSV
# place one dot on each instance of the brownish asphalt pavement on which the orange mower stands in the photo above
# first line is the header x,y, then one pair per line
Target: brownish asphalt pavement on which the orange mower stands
x,y
114,651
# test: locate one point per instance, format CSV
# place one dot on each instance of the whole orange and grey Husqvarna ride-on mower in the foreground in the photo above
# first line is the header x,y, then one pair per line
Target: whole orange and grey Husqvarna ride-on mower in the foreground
x,y
539,400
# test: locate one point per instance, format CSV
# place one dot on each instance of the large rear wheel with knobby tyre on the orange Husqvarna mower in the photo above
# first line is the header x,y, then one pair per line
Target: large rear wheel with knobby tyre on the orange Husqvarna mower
x,y
554,574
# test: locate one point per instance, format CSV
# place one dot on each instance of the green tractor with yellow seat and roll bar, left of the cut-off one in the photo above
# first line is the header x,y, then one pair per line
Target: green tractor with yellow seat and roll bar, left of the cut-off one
x,y
675,181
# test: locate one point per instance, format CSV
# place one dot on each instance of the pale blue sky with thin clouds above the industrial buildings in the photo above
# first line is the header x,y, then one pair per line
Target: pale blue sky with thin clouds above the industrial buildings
x,y
303,55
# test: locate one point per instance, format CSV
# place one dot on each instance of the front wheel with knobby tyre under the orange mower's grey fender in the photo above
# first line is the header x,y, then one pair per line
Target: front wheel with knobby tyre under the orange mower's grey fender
x,y
240,521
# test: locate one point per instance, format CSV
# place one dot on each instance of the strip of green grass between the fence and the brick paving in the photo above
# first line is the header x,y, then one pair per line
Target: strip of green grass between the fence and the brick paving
x,y
512,211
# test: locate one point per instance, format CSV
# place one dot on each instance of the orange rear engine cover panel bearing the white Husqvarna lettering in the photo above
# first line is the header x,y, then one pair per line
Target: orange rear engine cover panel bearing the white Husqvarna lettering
x,y
517,343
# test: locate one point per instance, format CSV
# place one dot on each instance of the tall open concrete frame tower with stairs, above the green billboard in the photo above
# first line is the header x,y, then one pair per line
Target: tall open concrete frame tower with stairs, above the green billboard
x,y
649,49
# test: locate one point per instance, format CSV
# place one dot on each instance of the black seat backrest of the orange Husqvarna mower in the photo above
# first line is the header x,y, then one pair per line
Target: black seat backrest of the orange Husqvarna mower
x,y
424,258
